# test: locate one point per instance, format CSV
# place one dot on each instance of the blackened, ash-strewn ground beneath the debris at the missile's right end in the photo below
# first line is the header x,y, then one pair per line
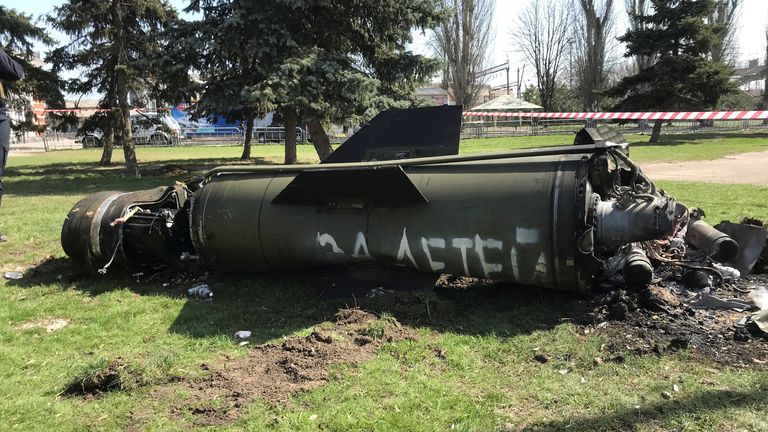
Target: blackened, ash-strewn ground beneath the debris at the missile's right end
x,y
661,318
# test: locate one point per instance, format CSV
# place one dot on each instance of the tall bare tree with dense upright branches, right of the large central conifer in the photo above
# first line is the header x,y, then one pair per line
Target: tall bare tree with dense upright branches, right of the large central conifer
x,y
463,42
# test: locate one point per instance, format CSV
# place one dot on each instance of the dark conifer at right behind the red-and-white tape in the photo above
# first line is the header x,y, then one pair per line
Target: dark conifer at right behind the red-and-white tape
x,y
680,37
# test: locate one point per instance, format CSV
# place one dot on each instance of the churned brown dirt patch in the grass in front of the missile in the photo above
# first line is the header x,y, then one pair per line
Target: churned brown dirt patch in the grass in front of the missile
x,y
273,372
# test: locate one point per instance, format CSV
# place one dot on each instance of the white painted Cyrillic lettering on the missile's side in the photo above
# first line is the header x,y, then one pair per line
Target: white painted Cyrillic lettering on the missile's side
x,y
436,251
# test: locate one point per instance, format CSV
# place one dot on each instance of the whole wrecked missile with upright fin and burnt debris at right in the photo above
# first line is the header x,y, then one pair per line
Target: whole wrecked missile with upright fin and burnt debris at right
x,y
582,218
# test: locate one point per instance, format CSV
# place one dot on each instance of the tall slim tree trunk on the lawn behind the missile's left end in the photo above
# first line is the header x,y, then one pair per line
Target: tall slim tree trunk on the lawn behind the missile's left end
x,y
121,78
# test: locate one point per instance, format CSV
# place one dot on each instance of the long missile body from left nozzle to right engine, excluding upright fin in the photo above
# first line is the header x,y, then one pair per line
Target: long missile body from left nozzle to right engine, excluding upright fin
x,y
539,217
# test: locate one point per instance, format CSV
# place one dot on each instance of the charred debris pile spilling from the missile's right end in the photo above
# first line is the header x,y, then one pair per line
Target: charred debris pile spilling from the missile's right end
x,y
707,291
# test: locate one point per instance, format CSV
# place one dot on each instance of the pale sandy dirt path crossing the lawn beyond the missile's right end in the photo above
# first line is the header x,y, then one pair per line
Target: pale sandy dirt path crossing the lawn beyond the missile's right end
x,y
744,168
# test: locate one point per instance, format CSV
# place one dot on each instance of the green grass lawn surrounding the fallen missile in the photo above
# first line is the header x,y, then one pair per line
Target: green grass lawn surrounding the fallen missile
x,y
469,368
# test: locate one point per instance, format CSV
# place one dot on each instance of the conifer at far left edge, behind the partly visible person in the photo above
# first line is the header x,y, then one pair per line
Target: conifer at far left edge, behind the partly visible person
x,y
18,35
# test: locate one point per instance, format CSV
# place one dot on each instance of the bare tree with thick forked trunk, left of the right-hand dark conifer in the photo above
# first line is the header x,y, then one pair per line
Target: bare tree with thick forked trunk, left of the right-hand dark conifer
x,y
593,31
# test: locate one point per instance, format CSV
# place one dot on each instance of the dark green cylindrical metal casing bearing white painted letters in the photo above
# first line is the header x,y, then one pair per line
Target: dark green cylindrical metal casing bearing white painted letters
x,y
515,219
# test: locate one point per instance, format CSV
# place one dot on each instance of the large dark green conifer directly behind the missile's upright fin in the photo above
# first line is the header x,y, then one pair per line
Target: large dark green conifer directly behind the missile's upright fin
x,y
311,61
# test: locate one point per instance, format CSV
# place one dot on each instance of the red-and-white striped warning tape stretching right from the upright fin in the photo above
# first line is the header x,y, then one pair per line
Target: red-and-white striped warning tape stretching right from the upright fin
x,y
683,115
